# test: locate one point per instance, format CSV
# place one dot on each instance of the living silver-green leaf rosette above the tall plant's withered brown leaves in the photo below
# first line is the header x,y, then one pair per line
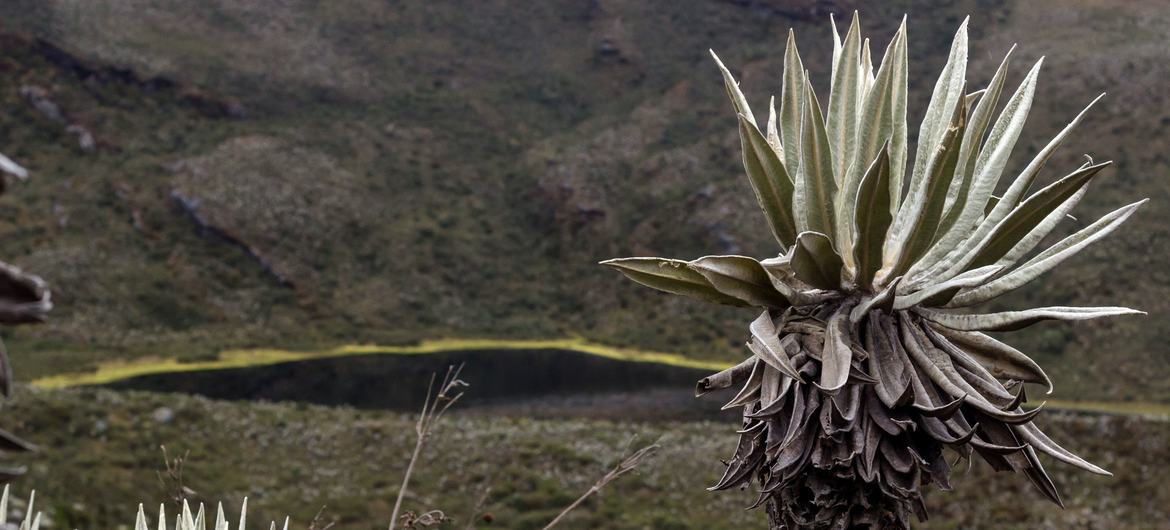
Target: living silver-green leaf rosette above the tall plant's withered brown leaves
x,y
830,178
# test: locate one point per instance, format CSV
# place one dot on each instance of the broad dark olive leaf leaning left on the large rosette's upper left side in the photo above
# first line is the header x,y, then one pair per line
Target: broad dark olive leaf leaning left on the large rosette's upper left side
x,y
772,183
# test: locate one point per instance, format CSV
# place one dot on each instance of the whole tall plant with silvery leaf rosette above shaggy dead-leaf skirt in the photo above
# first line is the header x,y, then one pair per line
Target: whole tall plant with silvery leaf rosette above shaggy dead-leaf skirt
x,y
865,362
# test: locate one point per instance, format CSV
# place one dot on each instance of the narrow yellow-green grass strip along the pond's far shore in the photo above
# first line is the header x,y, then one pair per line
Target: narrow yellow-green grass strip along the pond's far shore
x,y
120,370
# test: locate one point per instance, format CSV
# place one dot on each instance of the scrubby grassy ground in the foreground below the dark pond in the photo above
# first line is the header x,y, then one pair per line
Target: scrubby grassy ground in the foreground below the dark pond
x,y
291,459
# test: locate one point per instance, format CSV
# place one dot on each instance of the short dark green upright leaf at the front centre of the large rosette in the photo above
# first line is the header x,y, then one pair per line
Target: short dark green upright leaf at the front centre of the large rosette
x,y
872,219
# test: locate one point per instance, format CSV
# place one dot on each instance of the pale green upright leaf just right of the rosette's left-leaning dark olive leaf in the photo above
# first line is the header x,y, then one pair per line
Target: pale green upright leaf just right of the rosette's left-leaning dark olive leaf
x,y
816,185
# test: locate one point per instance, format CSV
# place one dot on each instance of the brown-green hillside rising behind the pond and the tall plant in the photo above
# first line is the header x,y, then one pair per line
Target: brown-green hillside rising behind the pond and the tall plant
x,y
424,170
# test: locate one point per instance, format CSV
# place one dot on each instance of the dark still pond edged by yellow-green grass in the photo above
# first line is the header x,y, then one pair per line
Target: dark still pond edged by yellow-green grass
x,y
532,383
